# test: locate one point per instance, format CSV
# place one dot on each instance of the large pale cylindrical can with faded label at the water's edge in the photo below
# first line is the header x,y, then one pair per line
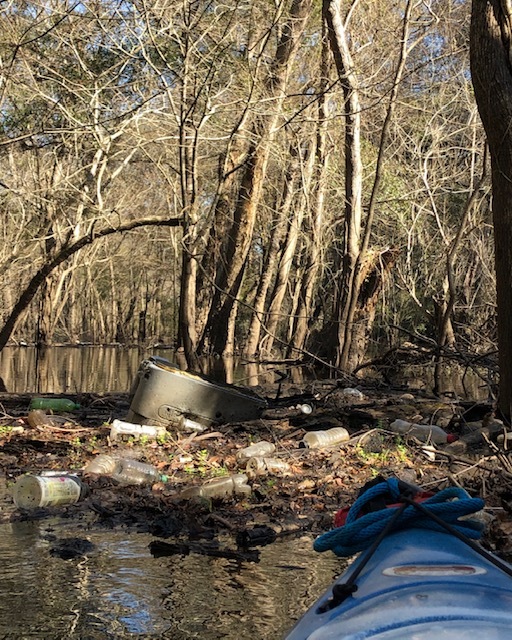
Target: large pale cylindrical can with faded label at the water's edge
x,y
30,491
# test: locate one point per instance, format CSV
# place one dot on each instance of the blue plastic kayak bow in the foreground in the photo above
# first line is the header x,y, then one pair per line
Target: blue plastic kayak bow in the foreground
x,y
419,584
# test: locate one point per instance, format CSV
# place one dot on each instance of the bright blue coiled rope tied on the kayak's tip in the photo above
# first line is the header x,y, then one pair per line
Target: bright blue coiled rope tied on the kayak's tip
x,y
357,534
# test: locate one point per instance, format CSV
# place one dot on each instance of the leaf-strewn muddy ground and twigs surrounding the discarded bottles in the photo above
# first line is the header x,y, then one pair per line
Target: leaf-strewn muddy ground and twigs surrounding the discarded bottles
x,y
303,499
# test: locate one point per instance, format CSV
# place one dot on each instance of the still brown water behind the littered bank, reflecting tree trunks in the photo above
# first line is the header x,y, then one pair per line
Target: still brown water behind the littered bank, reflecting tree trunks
x,y
90,369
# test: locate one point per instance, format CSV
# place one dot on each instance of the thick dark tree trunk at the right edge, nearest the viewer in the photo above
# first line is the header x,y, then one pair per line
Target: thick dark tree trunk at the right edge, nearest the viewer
x,y
491,70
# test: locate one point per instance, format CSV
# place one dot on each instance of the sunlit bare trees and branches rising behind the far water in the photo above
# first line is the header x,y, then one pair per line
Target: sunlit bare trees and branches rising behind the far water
x,y
263,177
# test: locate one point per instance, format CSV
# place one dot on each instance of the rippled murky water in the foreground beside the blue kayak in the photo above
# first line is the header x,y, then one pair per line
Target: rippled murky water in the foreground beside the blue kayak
x,y
121,591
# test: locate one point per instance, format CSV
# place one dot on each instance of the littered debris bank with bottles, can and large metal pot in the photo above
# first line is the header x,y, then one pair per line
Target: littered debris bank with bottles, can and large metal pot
x,y
171,455
